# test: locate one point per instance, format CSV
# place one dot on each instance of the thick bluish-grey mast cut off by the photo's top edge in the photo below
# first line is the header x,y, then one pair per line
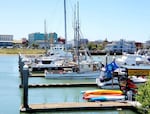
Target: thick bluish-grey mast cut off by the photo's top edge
x,y
65,19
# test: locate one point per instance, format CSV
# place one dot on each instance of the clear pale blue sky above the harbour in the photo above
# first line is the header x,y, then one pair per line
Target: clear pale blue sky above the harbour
x,y
99,19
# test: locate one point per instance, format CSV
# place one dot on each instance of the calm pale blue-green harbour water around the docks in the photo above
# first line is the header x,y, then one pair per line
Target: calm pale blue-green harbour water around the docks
x,y
11,94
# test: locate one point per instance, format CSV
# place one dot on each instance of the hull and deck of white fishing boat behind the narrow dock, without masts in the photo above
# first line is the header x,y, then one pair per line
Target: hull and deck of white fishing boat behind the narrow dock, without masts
x,y
85,71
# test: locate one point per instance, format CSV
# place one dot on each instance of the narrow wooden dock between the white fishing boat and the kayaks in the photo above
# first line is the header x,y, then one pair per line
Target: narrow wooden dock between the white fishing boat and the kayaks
x,y
89,84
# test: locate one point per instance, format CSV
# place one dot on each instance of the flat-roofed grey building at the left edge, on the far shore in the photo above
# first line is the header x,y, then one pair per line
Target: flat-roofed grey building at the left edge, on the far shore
x,y
6,41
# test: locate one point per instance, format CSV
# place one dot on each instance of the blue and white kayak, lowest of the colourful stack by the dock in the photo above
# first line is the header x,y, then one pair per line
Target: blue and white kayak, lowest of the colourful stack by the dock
x,y
107,98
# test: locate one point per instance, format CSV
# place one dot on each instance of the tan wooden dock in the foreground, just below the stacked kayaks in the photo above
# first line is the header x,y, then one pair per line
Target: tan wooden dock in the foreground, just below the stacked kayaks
x,y
77,106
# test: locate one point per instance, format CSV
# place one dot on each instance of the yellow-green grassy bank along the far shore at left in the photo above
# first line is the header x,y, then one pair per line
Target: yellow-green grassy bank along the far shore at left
x,y
23,51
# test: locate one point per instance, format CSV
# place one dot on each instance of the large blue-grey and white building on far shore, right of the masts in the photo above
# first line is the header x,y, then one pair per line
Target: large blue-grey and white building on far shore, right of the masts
x,y
121,46
